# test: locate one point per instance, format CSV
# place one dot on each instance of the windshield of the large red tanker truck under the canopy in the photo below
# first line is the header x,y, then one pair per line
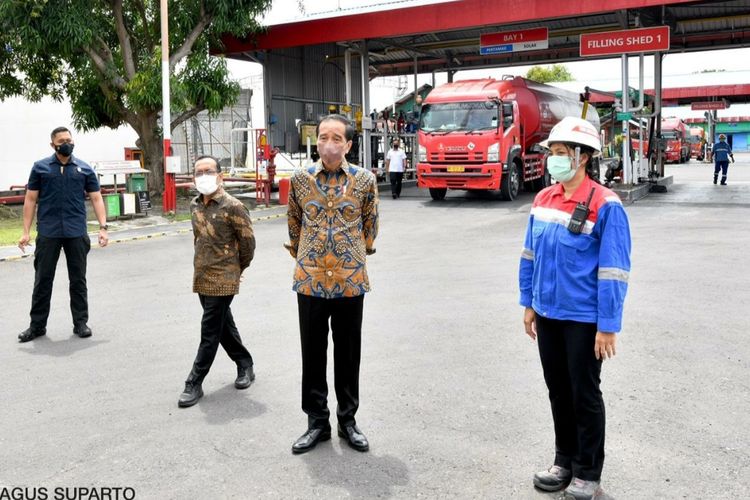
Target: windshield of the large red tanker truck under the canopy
x,y
451,116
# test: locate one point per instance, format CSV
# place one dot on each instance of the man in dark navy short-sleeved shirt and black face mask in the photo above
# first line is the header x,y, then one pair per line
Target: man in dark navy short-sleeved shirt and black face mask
x,y
57,191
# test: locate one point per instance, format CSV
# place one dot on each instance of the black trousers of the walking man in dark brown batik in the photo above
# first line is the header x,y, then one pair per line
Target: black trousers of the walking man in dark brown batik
x,y
217,328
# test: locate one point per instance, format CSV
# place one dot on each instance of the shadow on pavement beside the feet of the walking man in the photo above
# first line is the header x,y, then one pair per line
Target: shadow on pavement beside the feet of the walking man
x,y
229,404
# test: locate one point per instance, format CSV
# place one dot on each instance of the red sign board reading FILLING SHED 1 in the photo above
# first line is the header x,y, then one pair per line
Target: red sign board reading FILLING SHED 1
x,y
623,42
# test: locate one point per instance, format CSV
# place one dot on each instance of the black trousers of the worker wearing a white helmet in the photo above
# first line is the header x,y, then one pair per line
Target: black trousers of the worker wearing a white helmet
x,y
572,374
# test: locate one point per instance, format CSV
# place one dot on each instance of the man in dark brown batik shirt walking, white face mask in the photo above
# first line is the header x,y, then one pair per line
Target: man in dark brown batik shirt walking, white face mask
x,y
224,246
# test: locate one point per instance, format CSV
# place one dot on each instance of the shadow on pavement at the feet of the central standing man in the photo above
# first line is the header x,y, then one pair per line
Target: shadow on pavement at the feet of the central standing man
x,y
364,475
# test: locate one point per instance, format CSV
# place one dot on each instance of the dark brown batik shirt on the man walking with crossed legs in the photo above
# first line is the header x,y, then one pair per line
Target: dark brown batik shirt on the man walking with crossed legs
x,y
224,244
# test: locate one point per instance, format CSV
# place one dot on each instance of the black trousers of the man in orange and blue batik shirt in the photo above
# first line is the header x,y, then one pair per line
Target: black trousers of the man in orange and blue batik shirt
x,y
345,315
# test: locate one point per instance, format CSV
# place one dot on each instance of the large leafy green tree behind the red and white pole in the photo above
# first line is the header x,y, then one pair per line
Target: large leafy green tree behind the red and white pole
x,y
104,56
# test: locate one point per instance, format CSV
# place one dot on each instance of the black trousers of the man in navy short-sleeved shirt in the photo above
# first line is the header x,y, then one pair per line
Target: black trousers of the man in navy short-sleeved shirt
x,y
46,255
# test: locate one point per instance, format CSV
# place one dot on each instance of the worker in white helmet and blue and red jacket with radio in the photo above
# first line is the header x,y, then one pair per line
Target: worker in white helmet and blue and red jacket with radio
x,y
573,278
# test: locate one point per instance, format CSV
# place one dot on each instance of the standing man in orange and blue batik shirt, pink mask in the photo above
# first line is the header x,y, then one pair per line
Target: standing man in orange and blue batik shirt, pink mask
x,y
333,222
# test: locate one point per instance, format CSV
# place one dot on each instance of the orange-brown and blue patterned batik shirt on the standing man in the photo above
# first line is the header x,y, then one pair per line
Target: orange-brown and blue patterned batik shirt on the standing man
x,y
333,222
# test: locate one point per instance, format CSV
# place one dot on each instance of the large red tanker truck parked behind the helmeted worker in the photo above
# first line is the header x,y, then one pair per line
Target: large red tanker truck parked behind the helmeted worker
x,y
485,134
